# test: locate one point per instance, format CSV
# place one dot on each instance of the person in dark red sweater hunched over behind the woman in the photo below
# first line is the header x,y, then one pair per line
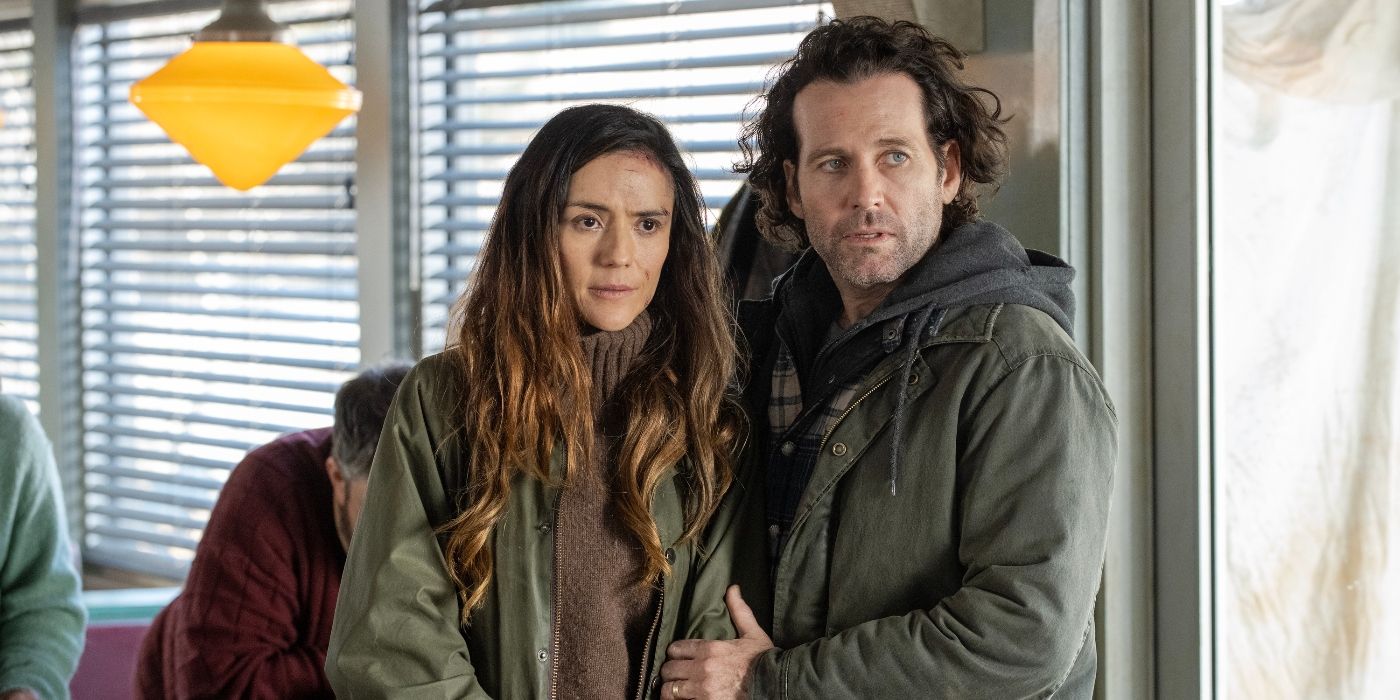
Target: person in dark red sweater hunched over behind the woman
x,y
255,617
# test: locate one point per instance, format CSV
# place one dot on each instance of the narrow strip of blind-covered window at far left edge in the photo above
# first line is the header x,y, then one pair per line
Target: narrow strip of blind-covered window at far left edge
x,y
19,331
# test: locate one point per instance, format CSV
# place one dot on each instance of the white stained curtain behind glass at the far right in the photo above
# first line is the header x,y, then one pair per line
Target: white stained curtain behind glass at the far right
x,y
1307,272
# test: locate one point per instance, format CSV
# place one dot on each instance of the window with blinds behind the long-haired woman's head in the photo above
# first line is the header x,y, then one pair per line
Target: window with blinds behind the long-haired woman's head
x,y
489,78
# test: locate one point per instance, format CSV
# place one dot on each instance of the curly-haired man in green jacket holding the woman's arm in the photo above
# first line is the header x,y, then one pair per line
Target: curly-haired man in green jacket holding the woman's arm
x,y
939,453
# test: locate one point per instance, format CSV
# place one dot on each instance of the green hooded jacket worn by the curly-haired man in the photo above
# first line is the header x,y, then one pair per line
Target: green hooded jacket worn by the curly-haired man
x,y
978,576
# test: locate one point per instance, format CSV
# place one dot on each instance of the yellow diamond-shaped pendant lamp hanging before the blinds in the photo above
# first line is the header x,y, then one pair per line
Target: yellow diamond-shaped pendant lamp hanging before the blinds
x,y
243,100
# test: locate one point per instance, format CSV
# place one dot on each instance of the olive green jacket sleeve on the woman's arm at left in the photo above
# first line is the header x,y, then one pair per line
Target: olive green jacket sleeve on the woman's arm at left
x,y
397,632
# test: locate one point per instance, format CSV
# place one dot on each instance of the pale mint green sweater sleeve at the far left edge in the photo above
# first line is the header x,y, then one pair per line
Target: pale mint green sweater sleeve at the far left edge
x,y
41,608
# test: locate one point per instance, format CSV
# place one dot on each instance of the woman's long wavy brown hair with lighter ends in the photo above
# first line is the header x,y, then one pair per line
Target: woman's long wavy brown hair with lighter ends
x,y
526,387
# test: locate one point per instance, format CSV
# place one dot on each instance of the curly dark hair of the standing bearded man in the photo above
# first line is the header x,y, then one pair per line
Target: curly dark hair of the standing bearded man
x,y
850,51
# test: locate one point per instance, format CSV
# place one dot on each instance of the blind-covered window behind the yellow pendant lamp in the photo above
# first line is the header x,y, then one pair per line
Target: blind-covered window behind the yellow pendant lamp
x,y
212,320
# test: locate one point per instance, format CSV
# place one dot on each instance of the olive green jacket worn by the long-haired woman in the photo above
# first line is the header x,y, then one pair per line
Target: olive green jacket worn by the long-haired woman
x,y
397,631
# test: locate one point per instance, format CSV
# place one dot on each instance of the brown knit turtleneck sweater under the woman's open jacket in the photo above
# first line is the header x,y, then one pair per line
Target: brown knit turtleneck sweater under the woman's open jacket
x,y
604,617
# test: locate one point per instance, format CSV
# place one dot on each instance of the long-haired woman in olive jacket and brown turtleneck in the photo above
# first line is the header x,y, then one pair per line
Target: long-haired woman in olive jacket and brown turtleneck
x,y
570,450
